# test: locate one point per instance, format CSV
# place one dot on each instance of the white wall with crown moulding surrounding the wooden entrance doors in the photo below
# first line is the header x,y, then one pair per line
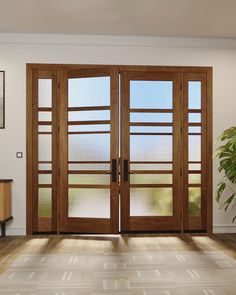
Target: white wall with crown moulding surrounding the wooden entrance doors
x,y
18,49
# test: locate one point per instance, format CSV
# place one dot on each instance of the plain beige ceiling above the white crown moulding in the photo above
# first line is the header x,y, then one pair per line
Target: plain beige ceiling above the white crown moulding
x,y
176,18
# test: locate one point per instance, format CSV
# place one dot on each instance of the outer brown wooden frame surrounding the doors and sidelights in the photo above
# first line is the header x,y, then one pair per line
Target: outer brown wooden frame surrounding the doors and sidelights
x,y
117,69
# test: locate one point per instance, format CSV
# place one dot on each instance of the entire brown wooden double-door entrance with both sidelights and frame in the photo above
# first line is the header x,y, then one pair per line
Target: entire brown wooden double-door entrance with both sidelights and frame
x,y
118,149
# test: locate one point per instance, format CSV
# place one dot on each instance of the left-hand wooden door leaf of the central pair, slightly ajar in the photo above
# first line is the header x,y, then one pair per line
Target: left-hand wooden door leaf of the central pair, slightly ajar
x,y
89,192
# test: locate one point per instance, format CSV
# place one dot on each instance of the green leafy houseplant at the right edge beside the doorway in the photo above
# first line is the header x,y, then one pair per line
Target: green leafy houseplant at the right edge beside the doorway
x,y
226,153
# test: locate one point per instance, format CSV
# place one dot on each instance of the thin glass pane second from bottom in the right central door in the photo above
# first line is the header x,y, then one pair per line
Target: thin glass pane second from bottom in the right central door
x,y
151,178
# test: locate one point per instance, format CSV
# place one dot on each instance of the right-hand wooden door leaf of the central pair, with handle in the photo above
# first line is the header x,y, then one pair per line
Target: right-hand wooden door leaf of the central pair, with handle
x,y
150,149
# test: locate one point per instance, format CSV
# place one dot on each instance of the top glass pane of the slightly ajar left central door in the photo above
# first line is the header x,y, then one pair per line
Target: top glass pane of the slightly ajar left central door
x,y
89,92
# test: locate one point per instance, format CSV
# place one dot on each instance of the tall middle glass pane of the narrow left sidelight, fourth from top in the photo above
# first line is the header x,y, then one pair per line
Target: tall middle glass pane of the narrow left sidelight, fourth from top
x,y
45,147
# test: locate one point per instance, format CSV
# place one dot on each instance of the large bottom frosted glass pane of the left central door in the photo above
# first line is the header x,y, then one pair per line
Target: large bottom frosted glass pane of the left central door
x,y
93,203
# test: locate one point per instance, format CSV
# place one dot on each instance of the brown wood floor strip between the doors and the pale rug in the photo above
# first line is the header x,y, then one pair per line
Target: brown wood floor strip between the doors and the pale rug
x,y
13,247
